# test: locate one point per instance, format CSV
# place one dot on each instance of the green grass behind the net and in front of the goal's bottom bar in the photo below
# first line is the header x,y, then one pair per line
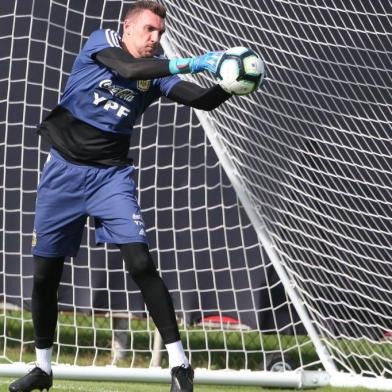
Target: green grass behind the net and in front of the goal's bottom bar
x,y
93,334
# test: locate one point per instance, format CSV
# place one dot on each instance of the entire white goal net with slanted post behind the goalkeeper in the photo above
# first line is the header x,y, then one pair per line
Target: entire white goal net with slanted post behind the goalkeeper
x,y
272,206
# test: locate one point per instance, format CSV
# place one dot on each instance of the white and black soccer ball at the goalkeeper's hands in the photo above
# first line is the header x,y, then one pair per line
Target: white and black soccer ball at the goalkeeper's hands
x,y
240,71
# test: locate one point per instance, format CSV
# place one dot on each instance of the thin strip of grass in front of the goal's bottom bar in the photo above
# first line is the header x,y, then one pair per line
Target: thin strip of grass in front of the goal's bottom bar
x,y
61,385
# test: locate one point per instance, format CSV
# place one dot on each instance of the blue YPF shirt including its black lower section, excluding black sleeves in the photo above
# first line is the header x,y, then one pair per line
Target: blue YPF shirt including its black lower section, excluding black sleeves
x,y
98,109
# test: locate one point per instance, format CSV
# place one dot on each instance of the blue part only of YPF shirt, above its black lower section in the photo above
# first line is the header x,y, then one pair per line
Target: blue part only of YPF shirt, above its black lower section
x,y
98,96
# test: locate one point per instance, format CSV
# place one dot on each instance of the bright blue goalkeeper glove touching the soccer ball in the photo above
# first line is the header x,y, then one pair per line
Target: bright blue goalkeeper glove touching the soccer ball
x,y
208,61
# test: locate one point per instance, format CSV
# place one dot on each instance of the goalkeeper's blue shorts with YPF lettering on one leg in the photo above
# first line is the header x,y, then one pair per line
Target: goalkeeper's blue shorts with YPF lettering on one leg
x,y
68,193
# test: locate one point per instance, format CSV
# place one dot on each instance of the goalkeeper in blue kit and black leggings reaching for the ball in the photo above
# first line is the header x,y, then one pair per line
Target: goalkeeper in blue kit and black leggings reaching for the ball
x,y
88,173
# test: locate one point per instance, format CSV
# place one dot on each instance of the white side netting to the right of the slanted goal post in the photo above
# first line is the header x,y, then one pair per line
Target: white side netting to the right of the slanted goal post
x,y
313,152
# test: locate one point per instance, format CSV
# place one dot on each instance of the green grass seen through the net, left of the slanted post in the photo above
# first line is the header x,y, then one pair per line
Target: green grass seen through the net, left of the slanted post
x,y
86,340
